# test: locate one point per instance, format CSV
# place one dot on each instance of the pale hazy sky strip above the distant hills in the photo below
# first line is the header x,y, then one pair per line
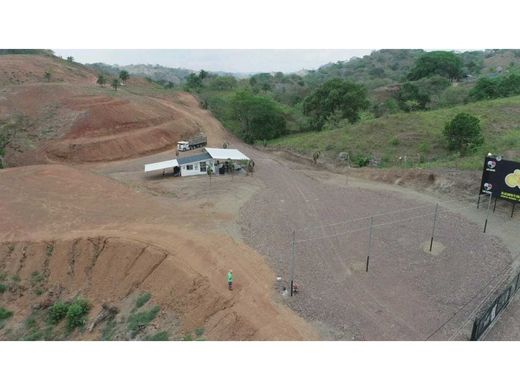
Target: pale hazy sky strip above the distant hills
x,y
248,61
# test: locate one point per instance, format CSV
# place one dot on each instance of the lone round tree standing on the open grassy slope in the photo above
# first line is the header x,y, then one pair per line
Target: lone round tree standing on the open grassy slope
x,y
463,133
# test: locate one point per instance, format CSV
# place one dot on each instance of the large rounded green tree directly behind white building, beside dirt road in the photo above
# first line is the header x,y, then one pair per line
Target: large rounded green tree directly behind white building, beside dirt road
x,y
260,117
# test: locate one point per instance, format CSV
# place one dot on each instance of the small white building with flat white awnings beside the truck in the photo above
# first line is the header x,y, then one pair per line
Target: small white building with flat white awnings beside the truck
x,y
220,161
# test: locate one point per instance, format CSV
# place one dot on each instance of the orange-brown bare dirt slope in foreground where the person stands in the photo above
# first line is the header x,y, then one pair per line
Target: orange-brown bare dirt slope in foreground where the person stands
x,y
109,242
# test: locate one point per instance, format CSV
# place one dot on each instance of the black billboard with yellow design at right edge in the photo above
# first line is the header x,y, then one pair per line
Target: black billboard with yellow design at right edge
x,y
501,178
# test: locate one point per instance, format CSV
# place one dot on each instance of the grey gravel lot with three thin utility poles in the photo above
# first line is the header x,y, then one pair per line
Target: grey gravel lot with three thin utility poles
x,y
408,292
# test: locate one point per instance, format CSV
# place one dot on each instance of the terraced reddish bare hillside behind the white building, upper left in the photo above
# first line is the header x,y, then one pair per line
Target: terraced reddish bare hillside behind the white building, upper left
x,y
71,119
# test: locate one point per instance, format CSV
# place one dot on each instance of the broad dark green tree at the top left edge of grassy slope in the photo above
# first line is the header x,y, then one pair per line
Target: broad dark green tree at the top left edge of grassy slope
x,y
335,96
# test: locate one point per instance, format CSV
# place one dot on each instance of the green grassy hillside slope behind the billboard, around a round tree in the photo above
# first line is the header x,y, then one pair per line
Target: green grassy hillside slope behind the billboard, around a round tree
x,y
417,135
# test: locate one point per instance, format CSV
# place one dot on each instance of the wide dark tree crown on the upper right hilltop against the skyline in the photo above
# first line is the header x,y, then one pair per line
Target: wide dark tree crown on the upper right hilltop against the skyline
x,y
442,63
